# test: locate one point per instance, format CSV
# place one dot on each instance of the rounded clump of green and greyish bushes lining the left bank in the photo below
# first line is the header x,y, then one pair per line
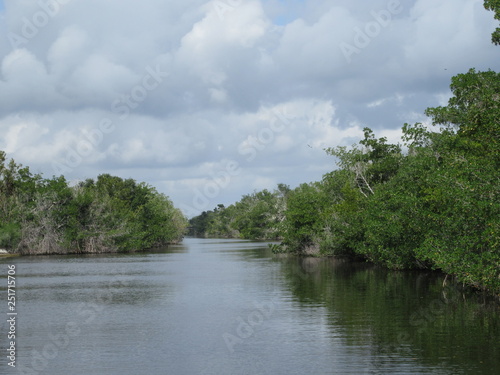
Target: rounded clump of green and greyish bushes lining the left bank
x,y
48,216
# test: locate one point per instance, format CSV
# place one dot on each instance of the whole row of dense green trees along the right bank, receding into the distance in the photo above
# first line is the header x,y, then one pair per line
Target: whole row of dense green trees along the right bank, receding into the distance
x,y
432,202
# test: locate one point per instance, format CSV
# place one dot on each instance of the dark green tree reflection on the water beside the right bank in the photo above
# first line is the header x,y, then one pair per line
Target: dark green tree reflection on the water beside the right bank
x,y
399,315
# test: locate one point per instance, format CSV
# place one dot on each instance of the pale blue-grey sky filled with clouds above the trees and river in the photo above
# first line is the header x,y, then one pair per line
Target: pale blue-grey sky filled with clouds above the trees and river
x,y
211,100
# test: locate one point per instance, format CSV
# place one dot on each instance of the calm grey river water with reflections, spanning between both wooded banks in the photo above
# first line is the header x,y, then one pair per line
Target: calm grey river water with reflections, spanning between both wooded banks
x,y
230,307
